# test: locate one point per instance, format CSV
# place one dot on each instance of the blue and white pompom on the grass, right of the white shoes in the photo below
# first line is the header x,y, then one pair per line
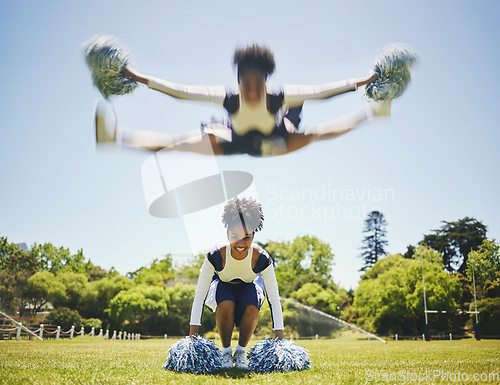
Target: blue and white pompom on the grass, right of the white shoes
x,y
278,356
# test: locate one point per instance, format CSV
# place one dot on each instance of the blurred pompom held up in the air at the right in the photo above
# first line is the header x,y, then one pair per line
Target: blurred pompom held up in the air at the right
x,y
393,70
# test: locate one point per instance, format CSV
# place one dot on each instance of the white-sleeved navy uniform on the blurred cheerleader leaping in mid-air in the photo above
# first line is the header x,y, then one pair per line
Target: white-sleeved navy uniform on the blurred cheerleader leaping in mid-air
x,y
254,130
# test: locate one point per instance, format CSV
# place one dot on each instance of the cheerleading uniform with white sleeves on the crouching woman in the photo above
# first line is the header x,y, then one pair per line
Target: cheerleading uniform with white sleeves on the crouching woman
x,y
237,281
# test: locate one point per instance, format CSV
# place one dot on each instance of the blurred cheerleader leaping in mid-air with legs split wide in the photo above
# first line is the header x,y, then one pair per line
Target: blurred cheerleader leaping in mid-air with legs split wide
x,y
261,123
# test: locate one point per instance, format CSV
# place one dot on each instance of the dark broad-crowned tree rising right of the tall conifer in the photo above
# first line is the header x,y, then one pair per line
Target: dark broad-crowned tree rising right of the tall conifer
x,y
455,240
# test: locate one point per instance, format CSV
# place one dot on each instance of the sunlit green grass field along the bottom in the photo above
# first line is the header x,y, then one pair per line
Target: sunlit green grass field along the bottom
x,y
333,362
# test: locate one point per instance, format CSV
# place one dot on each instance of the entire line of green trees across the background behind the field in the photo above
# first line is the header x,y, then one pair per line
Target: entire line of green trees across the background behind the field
x,y
157,298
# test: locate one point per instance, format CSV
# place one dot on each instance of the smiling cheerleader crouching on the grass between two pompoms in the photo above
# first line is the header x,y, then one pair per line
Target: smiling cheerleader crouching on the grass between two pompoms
x,y
234,280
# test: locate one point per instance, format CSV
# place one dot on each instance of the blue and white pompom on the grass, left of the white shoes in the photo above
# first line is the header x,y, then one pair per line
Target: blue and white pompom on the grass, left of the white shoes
x,y
194,355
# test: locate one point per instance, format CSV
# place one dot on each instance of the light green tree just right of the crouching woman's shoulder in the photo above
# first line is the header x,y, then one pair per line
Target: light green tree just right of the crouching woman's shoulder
x,y
305,259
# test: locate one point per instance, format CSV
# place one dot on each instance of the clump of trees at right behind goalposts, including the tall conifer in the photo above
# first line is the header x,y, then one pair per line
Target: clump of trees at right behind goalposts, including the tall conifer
x,y
455,260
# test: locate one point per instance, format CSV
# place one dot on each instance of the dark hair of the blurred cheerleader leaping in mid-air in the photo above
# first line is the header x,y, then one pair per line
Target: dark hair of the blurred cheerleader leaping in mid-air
x,y
254,57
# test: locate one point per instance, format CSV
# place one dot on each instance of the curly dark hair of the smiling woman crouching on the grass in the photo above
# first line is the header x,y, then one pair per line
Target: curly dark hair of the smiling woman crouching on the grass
x,y
246,212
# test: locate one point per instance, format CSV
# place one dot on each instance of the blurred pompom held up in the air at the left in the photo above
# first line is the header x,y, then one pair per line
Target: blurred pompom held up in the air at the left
x,y
106,60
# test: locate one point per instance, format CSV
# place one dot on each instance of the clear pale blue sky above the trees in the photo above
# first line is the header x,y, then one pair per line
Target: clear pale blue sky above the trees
x,y
436,159
